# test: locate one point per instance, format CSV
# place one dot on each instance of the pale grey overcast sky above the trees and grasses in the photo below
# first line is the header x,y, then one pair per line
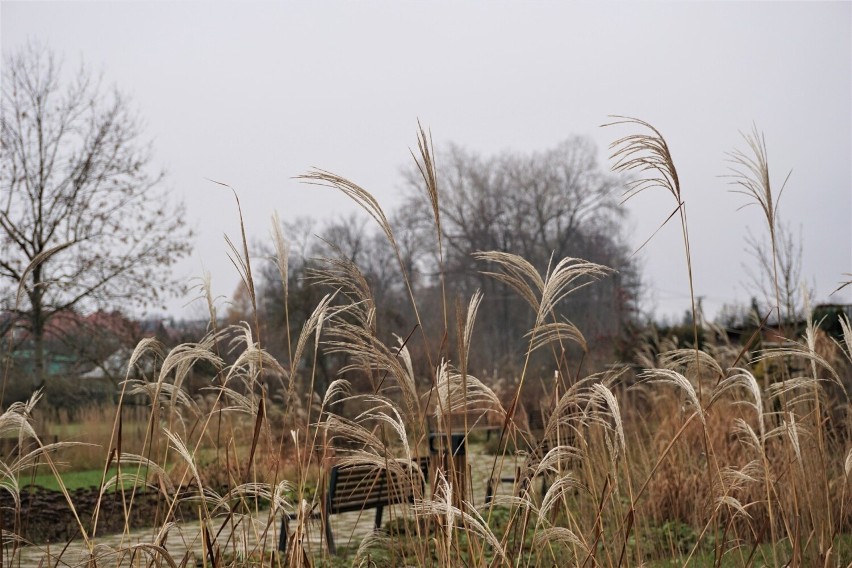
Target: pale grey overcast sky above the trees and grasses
x,y
253,94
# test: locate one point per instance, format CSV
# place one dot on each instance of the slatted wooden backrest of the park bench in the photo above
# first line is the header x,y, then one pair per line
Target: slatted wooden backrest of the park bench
x,y
361,487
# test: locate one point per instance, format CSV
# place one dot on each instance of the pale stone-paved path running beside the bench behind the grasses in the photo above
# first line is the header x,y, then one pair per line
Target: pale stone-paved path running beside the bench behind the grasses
x,y
185,538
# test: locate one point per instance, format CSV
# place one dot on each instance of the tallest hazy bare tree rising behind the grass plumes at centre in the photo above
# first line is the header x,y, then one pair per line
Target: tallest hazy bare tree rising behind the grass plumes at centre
x,y
544,206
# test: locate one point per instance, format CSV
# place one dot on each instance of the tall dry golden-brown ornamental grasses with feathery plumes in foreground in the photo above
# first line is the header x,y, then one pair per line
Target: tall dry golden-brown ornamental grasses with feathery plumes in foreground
x,y
733,444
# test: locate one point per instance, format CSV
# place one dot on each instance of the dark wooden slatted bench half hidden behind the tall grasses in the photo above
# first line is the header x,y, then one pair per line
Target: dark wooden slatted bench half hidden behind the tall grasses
x,y
358,488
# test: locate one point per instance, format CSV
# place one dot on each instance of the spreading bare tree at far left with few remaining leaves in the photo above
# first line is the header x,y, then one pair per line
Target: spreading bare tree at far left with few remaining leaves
x,y
84,221
